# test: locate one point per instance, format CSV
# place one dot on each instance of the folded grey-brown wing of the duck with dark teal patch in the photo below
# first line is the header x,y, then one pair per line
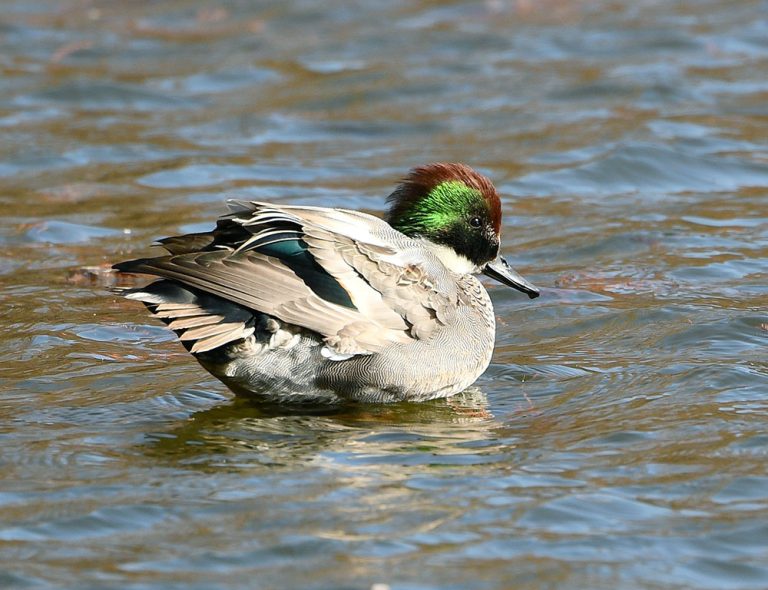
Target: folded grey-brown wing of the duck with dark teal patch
x,y
340,273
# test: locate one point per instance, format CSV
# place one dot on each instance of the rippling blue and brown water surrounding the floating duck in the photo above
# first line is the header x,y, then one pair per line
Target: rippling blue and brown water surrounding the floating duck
x,y
618,440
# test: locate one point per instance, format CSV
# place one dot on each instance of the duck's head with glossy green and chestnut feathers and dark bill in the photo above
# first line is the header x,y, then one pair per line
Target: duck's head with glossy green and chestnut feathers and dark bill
x,y
458,211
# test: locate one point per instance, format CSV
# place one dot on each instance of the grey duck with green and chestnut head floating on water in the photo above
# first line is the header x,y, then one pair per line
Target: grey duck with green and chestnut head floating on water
x,y
297,303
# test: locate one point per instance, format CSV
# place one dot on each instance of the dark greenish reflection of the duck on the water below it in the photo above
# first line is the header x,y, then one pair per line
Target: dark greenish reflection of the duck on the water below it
x,y
248,432
